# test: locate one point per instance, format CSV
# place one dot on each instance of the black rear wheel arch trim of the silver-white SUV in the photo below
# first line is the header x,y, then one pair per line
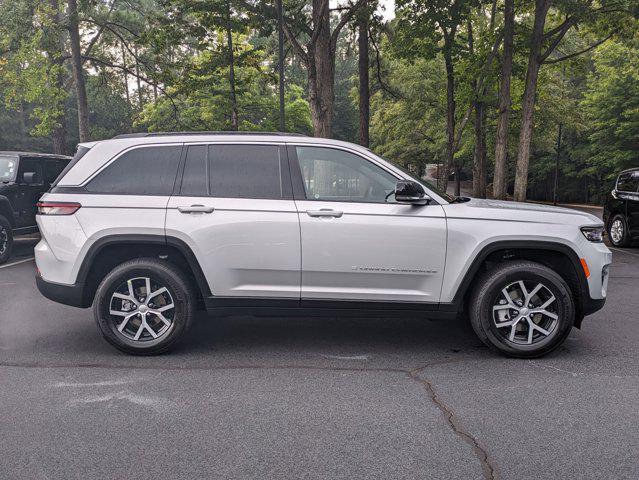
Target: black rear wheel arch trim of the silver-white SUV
x,y
111,250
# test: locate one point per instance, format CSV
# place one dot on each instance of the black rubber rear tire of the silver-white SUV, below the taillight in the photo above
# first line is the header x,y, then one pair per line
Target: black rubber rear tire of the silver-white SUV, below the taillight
x,y
161,274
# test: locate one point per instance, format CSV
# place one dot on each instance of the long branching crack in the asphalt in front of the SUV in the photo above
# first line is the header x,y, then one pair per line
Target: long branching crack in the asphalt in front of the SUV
x,y
487,465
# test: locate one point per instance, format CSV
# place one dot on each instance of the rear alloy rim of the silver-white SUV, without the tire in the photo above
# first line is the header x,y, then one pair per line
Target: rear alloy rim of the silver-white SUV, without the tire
x,y
142,309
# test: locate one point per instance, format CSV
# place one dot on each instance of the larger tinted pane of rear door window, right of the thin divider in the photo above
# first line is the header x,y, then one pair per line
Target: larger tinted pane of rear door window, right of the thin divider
x,y
245,171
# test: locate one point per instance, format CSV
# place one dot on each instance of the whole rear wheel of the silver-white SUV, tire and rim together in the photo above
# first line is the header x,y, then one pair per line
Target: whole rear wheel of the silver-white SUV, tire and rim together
x,y
144,306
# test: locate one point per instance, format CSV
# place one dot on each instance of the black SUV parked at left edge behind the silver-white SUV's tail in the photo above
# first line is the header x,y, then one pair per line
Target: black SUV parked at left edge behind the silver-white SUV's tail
x,y
24,177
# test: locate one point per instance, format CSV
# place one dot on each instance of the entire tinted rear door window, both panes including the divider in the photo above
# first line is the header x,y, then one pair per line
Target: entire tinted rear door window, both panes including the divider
x,y
234,171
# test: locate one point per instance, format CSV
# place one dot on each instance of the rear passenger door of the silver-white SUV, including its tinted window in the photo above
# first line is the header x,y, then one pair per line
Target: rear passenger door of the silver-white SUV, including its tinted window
x,y
247,247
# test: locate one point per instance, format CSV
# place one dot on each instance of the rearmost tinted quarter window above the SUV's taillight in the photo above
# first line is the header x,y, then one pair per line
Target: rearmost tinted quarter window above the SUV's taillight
x,y
141,171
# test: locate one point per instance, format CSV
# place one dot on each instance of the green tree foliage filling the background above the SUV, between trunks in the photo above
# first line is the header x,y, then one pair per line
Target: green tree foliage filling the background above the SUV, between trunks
x,y
164,65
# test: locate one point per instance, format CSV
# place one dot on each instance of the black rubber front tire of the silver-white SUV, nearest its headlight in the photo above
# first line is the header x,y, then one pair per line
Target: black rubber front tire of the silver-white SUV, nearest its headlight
x,y
488,294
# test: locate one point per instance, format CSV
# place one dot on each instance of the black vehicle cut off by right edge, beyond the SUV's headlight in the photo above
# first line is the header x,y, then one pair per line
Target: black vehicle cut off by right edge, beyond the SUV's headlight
x,y
621,211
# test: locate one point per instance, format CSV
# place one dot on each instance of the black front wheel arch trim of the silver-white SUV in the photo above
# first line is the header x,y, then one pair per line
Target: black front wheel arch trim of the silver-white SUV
x,y
557,256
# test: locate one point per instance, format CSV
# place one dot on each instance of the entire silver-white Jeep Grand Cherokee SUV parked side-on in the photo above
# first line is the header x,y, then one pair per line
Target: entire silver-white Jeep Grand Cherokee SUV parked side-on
x,y
147,227
